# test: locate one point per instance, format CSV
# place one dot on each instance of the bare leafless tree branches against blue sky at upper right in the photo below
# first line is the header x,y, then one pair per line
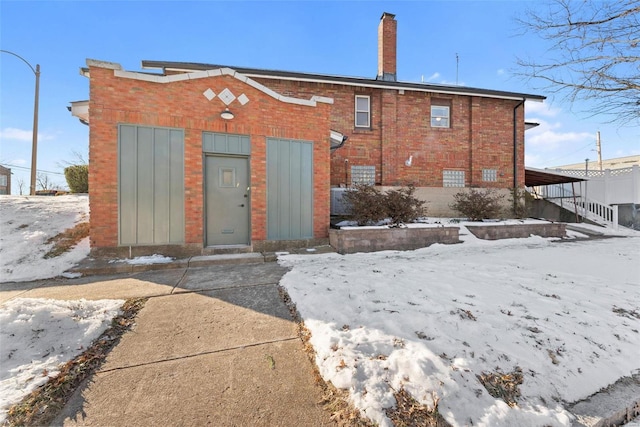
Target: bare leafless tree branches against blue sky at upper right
x,y
594,54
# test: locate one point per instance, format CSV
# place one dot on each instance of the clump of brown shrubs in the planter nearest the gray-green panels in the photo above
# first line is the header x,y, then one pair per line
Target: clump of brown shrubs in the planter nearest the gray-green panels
x,y
369,205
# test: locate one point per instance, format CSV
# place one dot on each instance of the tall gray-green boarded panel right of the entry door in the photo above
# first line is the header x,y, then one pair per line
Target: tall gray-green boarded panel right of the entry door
x,y
289,189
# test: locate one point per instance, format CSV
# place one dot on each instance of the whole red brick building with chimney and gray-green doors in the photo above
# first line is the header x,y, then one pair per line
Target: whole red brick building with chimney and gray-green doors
x,y
205,155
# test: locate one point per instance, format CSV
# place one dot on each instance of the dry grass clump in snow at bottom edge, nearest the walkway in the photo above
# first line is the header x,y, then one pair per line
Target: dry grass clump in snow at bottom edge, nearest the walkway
x,y
409,412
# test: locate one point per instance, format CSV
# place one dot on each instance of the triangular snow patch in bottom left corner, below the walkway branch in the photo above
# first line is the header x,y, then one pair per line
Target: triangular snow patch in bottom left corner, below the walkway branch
x,y
39,335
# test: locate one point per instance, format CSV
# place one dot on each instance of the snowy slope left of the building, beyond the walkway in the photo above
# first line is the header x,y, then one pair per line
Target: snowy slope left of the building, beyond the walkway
x,y
26,223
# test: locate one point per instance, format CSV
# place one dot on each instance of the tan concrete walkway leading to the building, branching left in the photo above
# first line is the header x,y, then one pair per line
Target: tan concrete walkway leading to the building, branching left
x,y
213,345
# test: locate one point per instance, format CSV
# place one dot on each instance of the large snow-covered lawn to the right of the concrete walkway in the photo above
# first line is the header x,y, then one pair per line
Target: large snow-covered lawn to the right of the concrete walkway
x,y
566,313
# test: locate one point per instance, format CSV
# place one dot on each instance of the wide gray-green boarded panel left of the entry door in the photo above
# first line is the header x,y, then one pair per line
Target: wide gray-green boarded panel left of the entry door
x,y
150,185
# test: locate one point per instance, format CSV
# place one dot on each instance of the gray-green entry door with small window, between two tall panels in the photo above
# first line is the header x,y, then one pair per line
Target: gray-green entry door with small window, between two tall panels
x,y
227,200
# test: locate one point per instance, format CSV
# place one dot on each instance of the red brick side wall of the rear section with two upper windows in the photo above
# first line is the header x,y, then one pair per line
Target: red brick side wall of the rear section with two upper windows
x,y
480,135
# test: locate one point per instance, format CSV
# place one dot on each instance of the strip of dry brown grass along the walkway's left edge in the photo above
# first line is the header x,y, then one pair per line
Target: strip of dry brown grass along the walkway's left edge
x,y
42,405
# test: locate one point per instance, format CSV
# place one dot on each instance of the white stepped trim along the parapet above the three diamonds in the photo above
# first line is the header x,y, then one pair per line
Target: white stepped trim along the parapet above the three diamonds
x,y
153,78
